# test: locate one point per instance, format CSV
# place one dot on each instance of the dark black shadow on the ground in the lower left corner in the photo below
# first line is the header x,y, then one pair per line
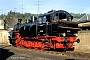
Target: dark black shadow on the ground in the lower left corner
x,y
5,53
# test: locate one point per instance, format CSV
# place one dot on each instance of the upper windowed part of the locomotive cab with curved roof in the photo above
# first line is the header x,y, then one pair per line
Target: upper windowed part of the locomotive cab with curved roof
x,y
55,15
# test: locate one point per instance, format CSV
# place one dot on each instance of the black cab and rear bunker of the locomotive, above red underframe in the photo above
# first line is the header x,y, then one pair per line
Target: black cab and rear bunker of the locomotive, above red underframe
x,y
57,23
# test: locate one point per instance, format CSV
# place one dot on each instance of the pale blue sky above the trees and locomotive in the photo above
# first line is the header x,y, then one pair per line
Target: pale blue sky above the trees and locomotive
x,y
30,6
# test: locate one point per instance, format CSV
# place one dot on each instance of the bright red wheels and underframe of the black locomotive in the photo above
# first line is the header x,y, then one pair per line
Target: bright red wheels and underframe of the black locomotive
x,y
43,42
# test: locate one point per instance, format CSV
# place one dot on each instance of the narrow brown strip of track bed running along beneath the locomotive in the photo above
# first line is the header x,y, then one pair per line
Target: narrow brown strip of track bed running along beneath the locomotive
x,y
67,53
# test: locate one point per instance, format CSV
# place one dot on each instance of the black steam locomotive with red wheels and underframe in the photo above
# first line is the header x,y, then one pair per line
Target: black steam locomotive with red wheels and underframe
x,y
51,30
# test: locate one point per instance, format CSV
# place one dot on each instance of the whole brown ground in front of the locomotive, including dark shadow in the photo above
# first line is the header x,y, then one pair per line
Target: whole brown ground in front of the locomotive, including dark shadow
x,y
18,53
